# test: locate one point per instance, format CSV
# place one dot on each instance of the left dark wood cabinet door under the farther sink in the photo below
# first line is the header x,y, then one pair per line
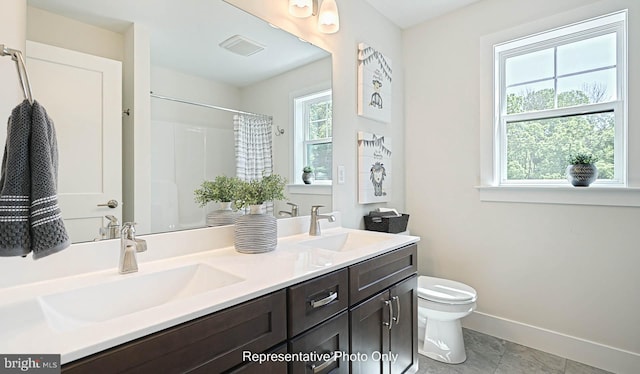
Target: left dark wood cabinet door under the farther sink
x,y
370,334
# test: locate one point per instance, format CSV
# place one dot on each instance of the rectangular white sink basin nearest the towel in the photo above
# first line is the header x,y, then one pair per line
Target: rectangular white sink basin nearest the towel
x,y
101,302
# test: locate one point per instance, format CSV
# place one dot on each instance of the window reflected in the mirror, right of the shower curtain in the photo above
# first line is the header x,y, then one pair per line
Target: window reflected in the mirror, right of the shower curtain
x,y
313,124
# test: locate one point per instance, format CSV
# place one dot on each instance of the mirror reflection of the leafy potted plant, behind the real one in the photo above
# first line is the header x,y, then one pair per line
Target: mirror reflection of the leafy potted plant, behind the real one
x,y
221,190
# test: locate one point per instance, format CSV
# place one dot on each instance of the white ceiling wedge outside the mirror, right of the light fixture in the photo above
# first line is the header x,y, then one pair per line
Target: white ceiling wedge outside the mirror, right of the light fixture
x,y
407,13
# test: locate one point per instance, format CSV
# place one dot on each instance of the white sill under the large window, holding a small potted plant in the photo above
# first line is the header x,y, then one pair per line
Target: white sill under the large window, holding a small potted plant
x,y
593,195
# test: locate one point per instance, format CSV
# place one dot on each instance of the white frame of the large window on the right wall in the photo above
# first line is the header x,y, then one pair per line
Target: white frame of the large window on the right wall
x,y
607,24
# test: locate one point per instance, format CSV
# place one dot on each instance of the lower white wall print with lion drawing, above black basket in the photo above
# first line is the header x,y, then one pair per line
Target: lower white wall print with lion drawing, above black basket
x,y
374,168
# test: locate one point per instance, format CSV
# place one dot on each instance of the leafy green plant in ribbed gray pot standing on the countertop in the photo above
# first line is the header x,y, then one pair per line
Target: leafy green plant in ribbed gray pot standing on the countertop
x,y
257,232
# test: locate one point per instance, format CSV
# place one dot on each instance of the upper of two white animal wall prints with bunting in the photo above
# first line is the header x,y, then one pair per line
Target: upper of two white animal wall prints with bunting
x,y
374,84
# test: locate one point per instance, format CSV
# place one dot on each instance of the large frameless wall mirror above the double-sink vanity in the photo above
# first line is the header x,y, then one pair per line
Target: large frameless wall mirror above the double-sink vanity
x,y
186,72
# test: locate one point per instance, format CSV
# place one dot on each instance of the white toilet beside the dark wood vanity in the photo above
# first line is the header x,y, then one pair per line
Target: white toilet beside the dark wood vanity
x,y
441,305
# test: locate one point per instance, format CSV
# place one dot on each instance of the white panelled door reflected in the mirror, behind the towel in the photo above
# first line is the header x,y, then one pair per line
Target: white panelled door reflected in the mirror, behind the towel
x,y
83,96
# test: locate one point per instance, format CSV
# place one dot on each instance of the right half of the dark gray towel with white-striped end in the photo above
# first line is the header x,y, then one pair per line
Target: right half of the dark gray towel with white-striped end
x,y
48,234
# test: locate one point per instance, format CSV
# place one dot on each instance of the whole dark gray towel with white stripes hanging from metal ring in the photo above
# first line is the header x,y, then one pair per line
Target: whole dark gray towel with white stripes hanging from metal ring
x,y
30,219
